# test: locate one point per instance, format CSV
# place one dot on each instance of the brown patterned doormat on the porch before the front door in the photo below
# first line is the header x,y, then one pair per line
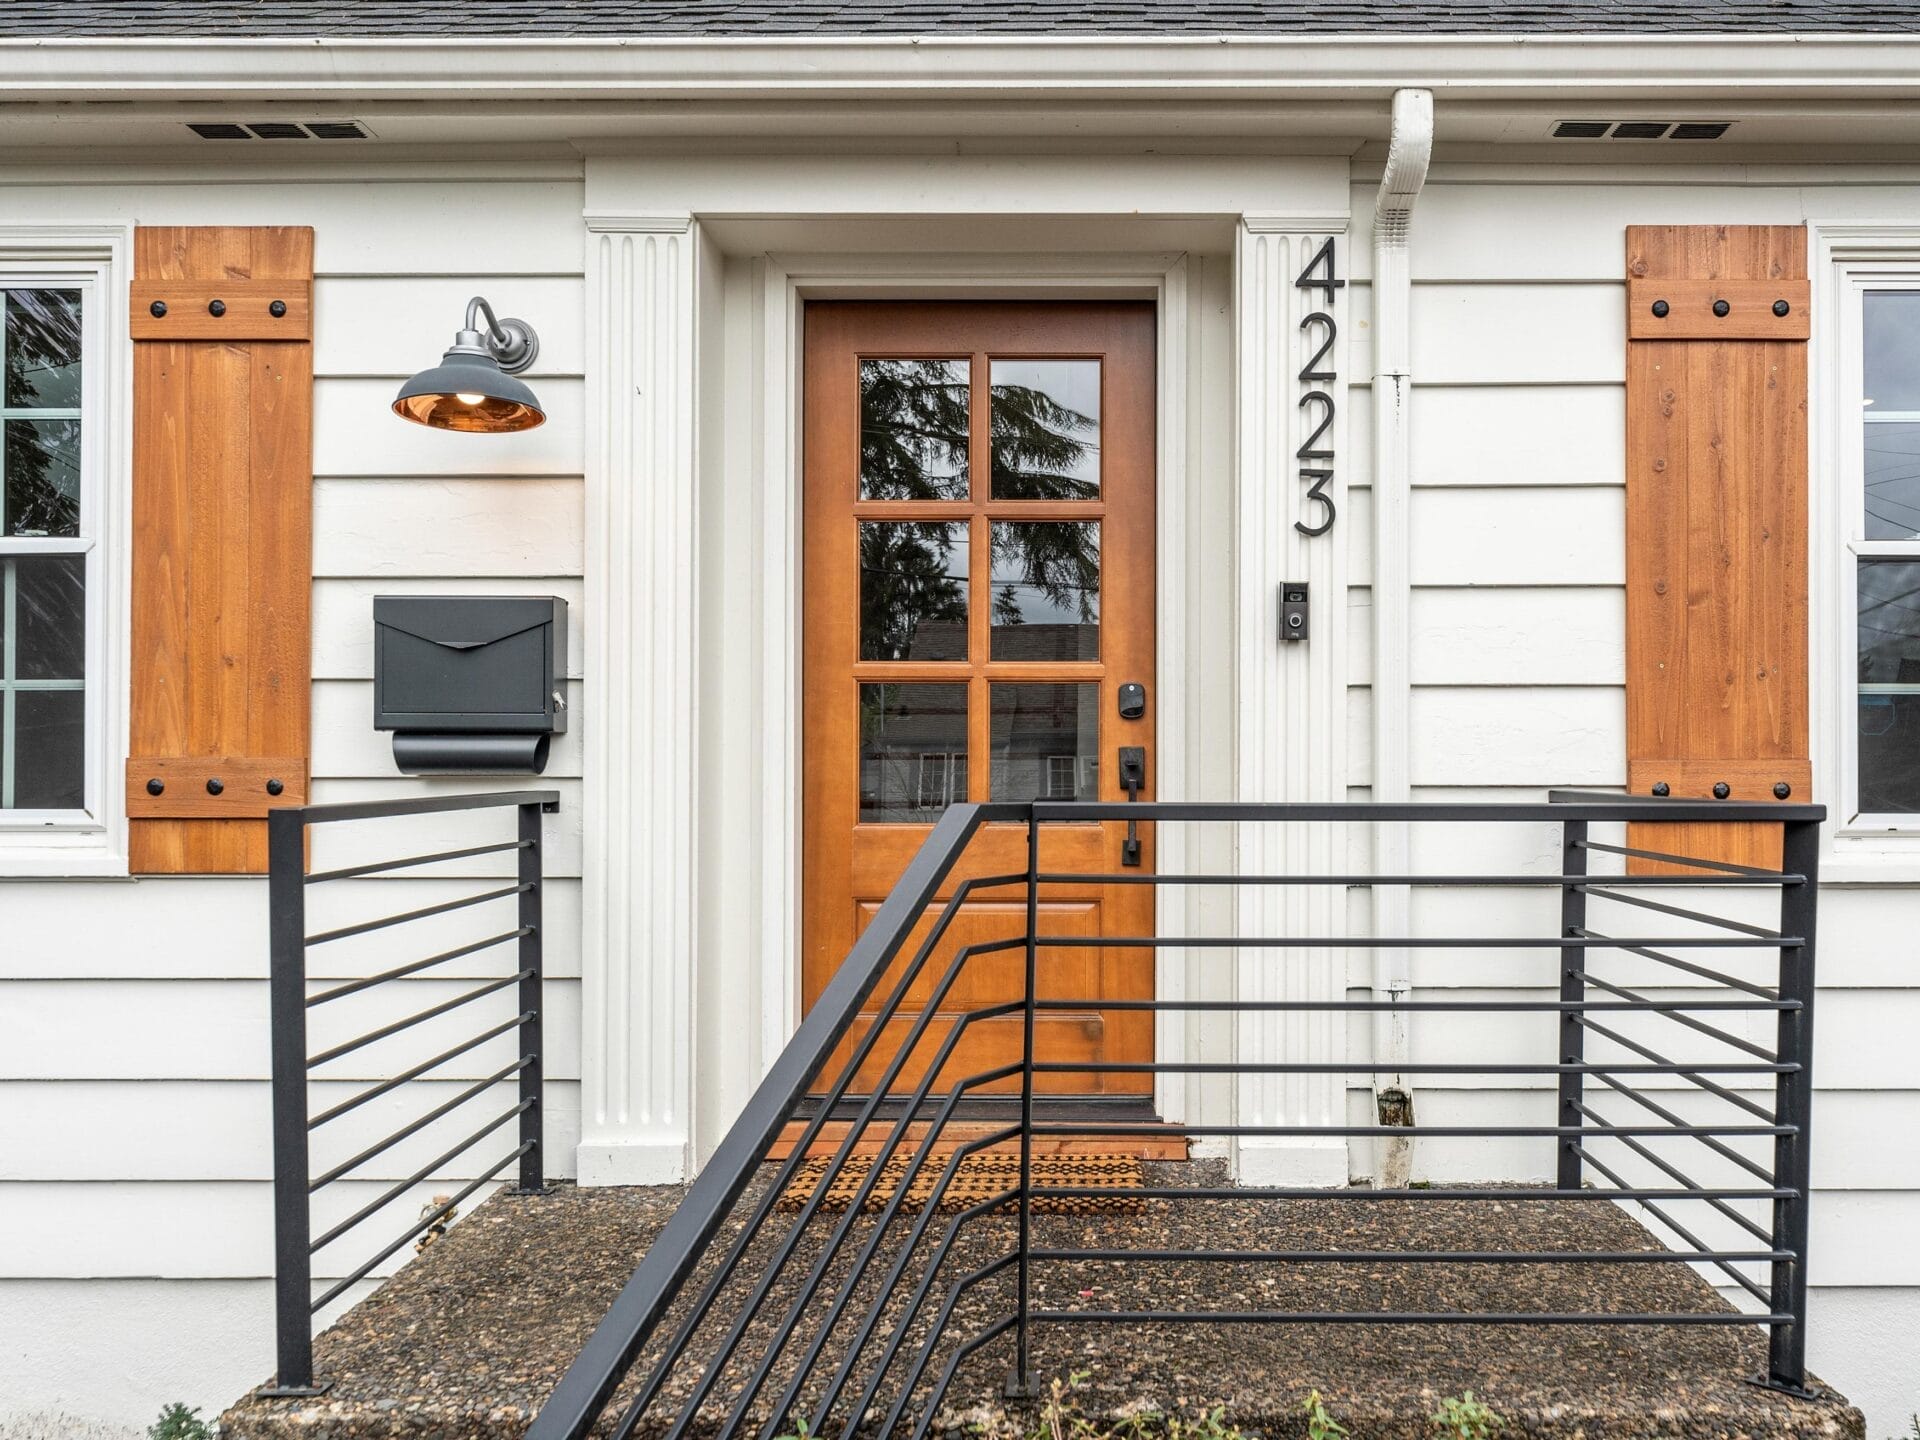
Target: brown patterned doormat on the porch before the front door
x,y
980,1178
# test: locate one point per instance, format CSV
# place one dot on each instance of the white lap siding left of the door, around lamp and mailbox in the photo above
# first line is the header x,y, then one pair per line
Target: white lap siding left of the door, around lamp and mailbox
x,y
135,1164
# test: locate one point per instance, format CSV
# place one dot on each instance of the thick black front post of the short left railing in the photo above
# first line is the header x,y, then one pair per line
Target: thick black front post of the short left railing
x,y
287,997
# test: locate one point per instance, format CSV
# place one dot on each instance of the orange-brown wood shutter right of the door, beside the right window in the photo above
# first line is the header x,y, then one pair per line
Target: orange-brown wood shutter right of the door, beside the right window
x,y
1717,527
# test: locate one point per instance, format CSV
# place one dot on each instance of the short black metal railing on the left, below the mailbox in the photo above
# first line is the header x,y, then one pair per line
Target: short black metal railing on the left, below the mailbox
x,y
297,996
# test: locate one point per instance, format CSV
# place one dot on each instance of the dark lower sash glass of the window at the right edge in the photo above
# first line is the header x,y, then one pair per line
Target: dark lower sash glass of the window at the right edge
x,y
1890,686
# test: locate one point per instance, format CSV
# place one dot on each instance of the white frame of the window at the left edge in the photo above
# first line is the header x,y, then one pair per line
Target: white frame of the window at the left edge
x,y
97,260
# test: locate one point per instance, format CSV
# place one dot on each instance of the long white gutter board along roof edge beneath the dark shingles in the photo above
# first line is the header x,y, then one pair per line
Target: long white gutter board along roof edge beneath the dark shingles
x,y
1164,66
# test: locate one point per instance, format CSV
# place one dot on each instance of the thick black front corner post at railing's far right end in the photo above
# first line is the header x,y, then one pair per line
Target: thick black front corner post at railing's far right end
x,y
1787,1353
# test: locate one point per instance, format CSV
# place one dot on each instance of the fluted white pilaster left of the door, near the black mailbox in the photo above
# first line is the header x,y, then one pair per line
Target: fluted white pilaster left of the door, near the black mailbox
x,y
640,688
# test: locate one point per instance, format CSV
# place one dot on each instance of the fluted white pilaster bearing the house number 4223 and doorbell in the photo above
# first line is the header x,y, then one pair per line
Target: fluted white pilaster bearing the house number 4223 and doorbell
x,y
1291,698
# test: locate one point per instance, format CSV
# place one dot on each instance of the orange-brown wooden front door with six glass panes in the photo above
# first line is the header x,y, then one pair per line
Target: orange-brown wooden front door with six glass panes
x,y
980,585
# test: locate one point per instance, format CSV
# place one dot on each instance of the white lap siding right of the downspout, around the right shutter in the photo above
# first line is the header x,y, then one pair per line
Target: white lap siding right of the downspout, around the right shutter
x,y
1518,663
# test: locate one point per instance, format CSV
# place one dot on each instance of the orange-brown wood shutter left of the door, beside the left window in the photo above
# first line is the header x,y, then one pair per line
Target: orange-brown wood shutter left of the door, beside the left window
x,y
224,542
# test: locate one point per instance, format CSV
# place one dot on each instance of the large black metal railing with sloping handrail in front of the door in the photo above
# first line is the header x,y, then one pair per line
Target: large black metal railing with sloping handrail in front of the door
x,y
663,1276
